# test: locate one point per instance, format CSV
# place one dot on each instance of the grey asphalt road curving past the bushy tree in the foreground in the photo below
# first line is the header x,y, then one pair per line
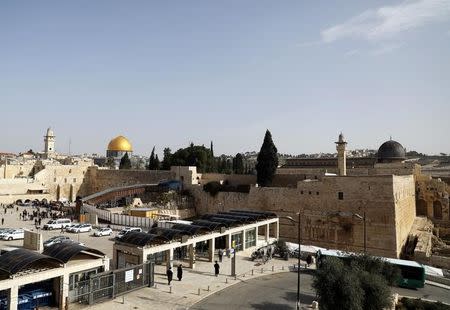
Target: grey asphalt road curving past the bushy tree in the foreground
x,y
279,292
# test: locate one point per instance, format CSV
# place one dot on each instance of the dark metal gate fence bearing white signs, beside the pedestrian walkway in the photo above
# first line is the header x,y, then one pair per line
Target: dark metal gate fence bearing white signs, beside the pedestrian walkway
x,y
111,284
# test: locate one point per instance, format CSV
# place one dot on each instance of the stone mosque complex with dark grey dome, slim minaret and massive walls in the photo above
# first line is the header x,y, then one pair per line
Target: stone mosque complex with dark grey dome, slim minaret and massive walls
x,y
332,195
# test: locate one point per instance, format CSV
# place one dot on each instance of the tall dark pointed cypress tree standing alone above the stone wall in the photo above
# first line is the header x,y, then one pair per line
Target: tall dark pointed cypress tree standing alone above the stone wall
x,y
267,161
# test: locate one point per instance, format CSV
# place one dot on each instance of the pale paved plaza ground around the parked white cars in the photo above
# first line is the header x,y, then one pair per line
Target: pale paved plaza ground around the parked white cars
x,y
12,220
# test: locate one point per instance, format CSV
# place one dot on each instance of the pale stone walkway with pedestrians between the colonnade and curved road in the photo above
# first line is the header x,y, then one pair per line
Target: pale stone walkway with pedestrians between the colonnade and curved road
x,y
195,285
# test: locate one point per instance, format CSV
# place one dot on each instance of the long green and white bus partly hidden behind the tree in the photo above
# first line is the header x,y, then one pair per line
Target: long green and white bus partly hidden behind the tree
x,y
412,273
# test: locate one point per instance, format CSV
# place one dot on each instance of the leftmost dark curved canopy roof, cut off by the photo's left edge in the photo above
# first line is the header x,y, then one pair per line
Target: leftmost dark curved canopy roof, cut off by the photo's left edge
x,y
15,261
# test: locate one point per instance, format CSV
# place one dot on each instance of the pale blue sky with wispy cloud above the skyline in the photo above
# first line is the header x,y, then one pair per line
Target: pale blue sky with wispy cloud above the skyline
x,y
166,73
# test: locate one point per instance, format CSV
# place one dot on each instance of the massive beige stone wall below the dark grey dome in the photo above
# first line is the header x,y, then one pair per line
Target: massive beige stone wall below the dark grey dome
x,y
319,201
